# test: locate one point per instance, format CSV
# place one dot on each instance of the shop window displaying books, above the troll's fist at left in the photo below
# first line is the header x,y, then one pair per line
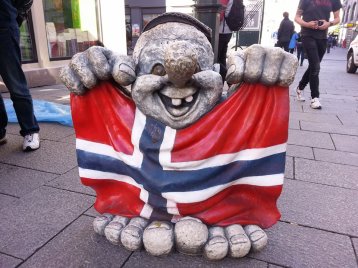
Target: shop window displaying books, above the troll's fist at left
x,y
71,26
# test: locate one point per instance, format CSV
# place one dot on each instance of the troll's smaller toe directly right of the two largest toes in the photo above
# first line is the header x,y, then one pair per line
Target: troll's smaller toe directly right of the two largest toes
x,y
217,246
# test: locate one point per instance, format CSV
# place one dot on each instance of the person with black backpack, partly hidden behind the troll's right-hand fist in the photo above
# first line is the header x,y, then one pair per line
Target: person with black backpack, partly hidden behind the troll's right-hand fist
x,y
225,33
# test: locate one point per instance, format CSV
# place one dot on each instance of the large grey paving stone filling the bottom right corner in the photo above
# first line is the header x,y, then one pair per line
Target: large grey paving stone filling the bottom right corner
x,y
295,246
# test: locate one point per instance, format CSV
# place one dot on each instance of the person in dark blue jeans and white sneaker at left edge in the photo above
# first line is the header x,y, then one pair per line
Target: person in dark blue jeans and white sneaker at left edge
x,y
14,79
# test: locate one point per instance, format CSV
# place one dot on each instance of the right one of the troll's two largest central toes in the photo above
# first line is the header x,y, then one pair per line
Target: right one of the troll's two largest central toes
x,y
190,236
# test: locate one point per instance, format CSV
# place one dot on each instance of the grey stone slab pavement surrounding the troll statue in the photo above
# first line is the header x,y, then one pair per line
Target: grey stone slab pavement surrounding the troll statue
x,y
46,214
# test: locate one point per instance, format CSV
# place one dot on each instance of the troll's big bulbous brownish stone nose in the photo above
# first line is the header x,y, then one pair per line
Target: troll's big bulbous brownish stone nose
x,y
180,62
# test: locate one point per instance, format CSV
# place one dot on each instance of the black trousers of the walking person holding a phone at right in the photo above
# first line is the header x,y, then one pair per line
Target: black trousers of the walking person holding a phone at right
x,y
315,50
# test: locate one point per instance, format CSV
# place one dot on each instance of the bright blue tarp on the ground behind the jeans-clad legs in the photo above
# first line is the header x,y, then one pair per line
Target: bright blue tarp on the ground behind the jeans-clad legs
x,y
45,111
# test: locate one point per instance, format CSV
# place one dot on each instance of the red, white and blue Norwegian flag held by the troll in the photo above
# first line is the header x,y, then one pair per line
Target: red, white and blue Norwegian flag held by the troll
x,y
226,168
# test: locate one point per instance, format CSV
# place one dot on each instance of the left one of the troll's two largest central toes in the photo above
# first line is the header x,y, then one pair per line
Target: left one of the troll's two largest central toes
x,y
158,238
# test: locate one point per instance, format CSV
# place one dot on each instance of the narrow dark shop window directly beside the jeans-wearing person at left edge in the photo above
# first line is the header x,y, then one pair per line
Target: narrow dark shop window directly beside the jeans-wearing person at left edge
x,y
27,41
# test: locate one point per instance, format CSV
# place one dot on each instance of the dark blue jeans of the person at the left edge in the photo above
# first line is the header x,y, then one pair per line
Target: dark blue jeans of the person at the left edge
x,y
15,81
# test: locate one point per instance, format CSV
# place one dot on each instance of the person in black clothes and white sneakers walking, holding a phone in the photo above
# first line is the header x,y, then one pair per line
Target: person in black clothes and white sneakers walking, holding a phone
x,y
313,16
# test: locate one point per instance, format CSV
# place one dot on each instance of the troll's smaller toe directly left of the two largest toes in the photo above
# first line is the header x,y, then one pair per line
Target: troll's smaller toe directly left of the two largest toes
x,y
132,234
